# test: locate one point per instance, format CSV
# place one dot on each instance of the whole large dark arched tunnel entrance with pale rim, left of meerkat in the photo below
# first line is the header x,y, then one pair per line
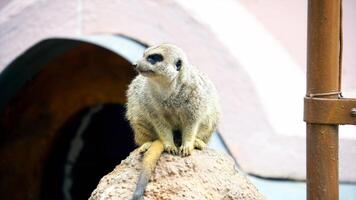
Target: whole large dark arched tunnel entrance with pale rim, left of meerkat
x,y
62,124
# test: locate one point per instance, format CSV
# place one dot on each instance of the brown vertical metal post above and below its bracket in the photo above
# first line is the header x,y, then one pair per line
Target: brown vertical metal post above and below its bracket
x,y
323,75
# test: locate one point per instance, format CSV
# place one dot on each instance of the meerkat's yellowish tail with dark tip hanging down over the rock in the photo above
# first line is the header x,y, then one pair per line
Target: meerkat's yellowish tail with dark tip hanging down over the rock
x,y
149,162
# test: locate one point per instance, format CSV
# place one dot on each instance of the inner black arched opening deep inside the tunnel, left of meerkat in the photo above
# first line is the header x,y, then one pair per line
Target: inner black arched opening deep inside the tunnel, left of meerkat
x,y
91,144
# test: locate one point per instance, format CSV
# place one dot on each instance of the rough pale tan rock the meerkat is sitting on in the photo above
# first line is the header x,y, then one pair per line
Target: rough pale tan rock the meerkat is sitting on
x,y
205,174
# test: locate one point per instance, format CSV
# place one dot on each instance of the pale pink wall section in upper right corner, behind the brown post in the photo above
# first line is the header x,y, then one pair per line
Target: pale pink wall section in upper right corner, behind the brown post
x,y
287,22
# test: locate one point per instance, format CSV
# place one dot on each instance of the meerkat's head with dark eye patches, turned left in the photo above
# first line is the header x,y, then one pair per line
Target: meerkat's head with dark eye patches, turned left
x,y
162,61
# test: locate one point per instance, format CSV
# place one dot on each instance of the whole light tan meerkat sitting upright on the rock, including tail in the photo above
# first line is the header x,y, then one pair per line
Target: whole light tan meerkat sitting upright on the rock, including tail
x,y
169,95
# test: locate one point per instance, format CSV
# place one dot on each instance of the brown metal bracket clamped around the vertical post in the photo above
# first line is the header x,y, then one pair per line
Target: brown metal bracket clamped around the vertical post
x,y
330,111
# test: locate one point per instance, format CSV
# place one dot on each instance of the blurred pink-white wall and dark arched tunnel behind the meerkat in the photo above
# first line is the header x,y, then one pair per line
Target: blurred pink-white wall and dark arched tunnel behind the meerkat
x,y
65,66
